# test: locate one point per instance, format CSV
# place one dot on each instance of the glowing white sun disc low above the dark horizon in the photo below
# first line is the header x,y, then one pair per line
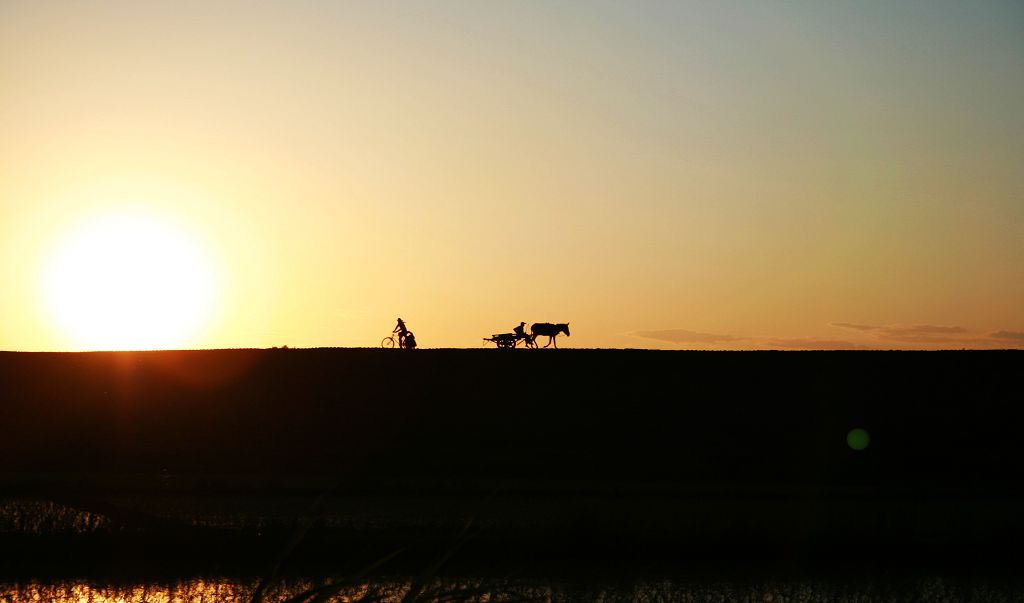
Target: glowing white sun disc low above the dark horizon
x,y
130,282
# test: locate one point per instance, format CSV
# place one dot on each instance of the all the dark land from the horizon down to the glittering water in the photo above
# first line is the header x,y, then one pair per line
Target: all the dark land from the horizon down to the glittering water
x,y
207,461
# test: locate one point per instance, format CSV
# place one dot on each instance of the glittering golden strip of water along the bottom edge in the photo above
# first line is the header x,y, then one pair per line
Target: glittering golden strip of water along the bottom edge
x,y
233,591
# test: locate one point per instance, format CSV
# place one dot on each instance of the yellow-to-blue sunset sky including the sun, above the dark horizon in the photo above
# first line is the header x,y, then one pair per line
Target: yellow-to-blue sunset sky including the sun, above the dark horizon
x,y
708,176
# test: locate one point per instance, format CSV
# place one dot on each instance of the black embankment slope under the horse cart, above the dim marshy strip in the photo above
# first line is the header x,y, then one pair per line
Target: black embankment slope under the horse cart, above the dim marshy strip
x,y
943,419
